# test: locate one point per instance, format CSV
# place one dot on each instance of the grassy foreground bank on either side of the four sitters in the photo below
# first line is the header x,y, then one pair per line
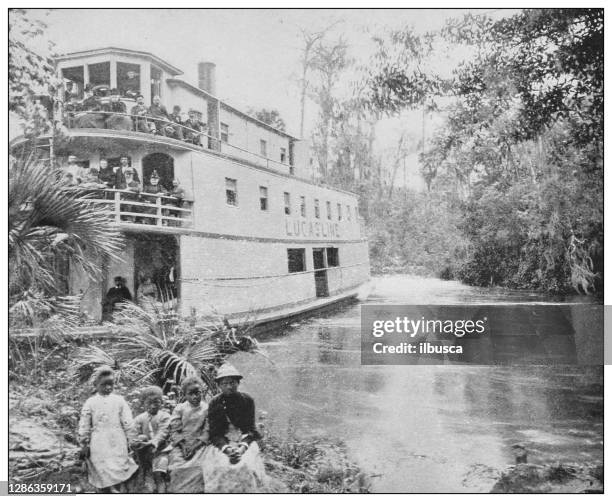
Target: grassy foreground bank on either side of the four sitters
x,y
44,405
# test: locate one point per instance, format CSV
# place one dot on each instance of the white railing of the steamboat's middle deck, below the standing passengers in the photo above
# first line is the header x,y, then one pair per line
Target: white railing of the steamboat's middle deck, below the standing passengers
x,y
147,209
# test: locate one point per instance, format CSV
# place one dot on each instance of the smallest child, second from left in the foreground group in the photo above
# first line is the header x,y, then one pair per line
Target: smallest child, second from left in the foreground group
x,y
151,430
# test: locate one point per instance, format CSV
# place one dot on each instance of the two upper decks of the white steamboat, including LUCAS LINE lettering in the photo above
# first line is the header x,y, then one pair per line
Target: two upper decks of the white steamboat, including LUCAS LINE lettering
x,y
244,179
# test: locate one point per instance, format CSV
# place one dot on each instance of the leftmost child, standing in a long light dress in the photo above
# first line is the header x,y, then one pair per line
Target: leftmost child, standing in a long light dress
x,y
104,426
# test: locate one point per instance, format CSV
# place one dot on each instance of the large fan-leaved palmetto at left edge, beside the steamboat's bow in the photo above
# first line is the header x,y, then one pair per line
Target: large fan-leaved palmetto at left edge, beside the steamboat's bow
x,y
49,222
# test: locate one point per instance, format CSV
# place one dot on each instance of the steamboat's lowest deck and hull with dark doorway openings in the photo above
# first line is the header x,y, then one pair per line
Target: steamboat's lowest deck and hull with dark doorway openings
x,y
238,278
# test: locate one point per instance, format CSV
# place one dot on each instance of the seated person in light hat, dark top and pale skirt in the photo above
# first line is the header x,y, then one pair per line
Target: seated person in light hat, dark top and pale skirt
x,y
232,463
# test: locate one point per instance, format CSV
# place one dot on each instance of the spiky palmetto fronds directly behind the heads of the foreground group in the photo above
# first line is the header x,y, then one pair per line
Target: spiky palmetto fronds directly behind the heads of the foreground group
x,y
154,345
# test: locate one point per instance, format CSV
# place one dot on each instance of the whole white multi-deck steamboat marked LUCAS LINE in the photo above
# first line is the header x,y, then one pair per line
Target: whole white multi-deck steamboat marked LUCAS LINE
x,y
248,235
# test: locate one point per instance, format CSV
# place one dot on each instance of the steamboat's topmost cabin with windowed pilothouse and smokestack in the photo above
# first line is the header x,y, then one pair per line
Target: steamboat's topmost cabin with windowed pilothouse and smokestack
x,y
134,72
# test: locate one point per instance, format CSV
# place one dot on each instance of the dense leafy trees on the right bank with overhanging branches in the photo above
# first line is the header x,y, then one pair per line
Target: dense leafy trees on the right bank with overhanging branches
x,y
521,145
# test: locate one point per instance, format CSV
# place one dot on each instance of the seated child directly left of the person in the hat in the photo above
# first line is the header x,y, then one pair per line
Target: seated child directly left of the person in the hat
x,y
189,435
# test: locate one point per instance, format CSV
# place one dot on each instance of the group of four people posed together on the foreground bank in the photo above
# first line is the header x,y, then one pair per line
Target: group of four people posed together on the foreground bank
x,y
194,447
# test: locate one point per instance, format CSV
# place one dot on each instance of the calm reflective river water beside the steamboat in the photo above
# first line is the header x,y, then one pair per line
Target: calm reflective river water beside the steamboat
x,y
423,428
